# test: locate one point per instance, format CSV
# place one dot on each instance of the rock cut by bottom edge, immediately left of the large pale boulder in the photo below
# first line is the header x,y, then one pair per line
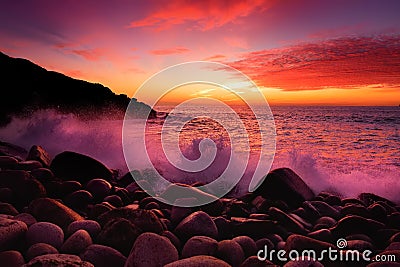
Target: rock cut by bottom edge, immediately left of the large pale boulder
x,y
103,256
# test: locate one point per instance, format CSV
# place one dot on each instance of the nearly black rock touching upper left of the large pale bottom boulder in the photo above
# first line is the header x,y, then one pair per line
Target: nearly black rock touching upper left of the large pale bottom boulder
x,y
119,234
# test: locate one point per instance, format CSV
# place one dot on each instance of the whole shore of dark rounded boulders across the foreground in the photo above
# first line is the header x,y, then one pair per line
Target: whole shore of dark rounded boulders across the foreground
x,y
74,211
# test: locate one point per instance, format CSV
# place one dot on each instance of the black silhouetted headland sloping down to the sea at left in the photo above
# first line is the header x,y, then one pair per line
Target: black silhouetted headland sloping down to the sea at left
x,y
31,87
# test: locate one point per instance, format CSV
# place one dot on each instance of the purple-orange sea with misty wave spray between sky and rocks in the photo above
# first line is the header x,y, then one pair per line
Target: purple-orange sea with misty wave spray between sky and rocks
x,y
347,150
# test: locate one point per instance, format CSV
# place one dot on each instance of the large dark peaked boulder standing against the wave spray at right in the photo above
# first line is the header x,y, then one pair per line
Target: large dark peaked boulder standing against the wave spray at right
x,y
284,184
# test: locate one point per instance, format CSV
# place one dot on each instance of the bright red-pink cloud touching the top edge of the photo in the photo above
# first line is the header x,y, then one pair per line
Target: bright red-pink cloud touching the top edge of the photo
x,y
206,14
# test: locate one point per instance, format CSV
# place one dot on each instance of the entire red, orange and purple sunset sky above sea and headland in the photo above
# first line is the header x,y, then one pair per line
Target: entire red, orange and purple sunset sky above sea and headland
x,y
305,52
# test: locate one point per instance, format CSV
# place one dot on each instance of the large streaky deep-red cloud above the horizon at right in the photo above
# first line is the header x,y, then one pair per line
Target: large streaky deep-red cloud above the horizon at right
x,y
346,62
